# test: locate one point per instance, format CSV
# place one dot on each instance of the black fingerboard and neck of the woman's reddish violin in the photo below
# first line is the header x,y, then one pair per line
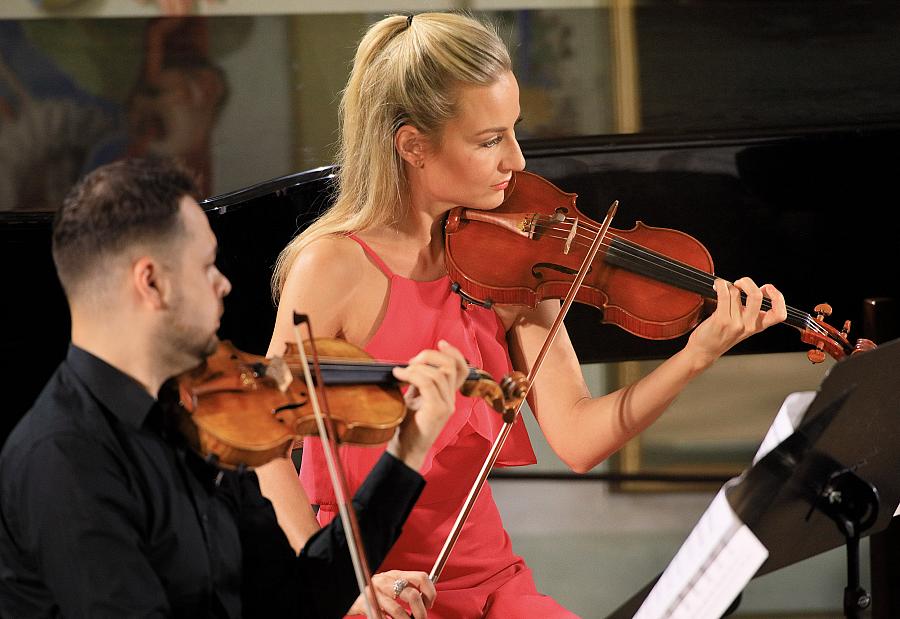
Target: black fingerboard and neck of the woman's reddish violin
x,y
658,267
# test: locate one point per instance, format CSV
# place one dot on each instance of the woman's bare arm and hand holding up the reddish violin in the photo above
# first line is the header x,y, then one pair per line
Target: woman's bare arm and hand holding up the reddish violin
x,y
584,430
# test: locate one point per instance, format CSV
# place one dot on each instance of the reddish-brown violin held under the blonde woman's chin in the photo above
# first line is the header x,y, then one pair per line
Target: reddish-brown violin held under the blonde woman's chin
x,y
652,282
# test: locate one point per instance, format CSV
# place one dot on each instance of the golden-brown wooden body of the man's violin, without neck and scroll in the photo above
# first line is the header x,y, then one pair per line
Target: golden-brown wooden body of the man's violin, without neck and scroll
x,y
246,410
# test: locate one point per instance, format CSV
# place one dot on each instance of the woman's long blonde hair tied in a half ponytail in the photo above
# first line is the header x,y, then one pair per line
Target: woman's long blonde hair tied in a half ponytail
x,y
407,70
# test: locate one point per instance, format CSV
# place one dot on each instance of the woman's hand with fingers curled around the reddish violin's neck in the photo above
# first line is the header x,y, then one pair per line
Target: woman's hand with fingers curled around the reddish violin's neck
x,y
735,320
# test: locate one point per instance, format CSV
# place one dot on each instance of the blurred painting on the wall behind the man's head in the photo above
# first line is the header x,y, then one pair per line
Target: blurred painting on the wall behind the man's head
x,y
75,94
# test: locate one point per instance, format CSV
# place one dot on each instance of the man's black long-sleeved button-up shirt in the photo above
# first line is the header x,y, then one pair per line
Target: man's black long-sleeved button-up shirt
x,y
101,516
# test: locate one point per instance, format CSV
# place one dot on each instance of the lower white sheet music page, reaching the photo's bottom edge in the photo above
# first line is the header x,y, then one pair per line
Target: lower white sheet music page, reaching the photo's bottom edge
x,y
711,568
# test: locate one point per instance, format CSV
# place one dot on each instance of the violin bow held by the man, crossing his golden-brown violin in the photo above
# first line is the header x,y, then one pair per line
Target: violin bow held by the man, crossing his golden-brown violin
x,y
328,436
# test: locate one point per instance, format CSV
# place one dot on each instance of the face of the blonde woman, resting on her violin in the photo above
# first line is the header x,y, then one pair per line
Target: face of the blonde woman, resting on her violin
x,y
478,151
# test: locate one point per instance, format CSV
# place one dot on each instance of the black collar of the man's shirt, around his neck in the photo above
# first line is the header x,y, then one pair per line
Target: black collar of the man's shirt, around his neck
x,y
119,393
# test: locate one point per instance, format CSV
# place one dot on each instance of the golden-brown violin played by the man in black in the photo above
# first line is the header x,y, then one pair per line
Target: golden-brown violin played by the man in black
x,y
242,410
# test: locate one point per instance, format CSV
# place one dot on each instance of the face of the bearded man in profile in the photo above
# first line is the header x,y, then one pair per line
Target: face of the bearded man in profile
x,y
198,288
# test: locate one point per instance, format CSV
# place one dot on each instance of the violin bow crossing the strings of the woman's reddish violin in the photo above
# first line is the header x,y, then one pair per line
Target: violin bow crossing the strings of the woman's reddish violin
x,y
494,452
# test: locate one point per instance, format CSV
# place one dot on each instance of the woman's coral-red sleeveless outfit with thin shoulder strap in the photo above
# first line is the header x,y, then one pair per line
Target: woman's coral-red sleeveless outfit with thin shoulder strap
x,y
482,576
